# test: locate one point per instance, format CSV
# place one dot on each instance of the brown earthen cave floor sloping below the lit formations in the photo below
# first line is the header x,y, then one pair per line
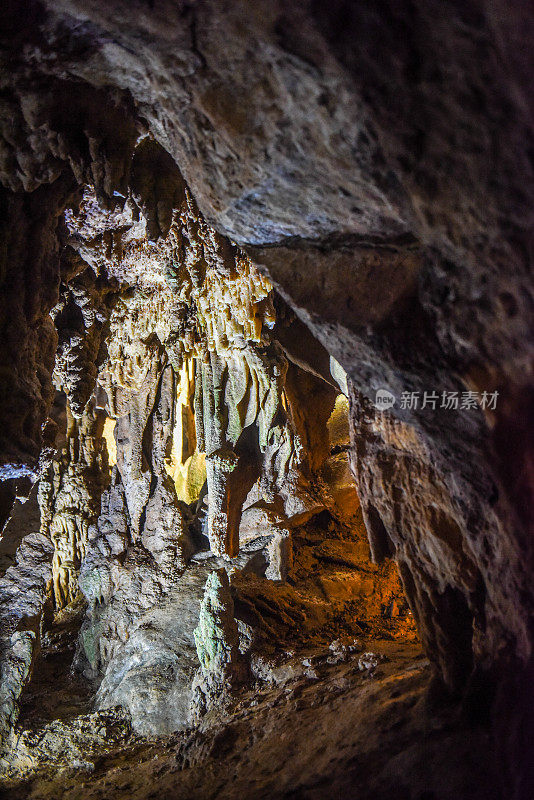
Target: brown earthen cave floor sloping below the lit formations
x,y
327,723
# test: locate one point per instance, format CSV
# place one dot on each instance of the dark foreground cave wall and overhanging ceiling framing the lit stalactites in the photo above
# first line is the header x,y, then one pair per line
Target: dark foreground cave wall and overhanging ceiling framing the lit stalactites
x,y
375,164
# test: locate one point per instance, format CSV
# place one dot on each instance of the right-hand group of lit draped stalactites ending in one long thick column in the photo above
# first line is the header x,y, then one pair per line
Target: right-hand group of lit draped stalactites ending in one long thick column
x,y
239,377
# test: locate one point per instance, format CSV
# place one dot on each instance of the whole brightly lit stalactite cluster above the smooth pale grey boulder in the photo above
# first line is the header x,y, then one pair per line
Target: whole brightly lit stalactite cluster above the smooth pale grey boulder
x,y
181,408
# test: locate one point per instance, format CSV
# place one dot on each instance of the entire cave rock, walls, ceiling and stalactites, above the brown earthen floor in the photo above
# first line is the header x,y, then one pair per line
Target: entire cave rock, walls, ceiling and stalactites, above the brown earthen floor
x,y
229,231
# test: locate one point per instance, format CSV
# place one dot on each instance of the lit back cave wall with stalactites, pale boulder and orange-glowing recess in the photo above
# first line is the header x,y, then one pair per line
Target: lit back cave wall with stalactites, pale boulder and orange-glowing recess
x,y
171,349
